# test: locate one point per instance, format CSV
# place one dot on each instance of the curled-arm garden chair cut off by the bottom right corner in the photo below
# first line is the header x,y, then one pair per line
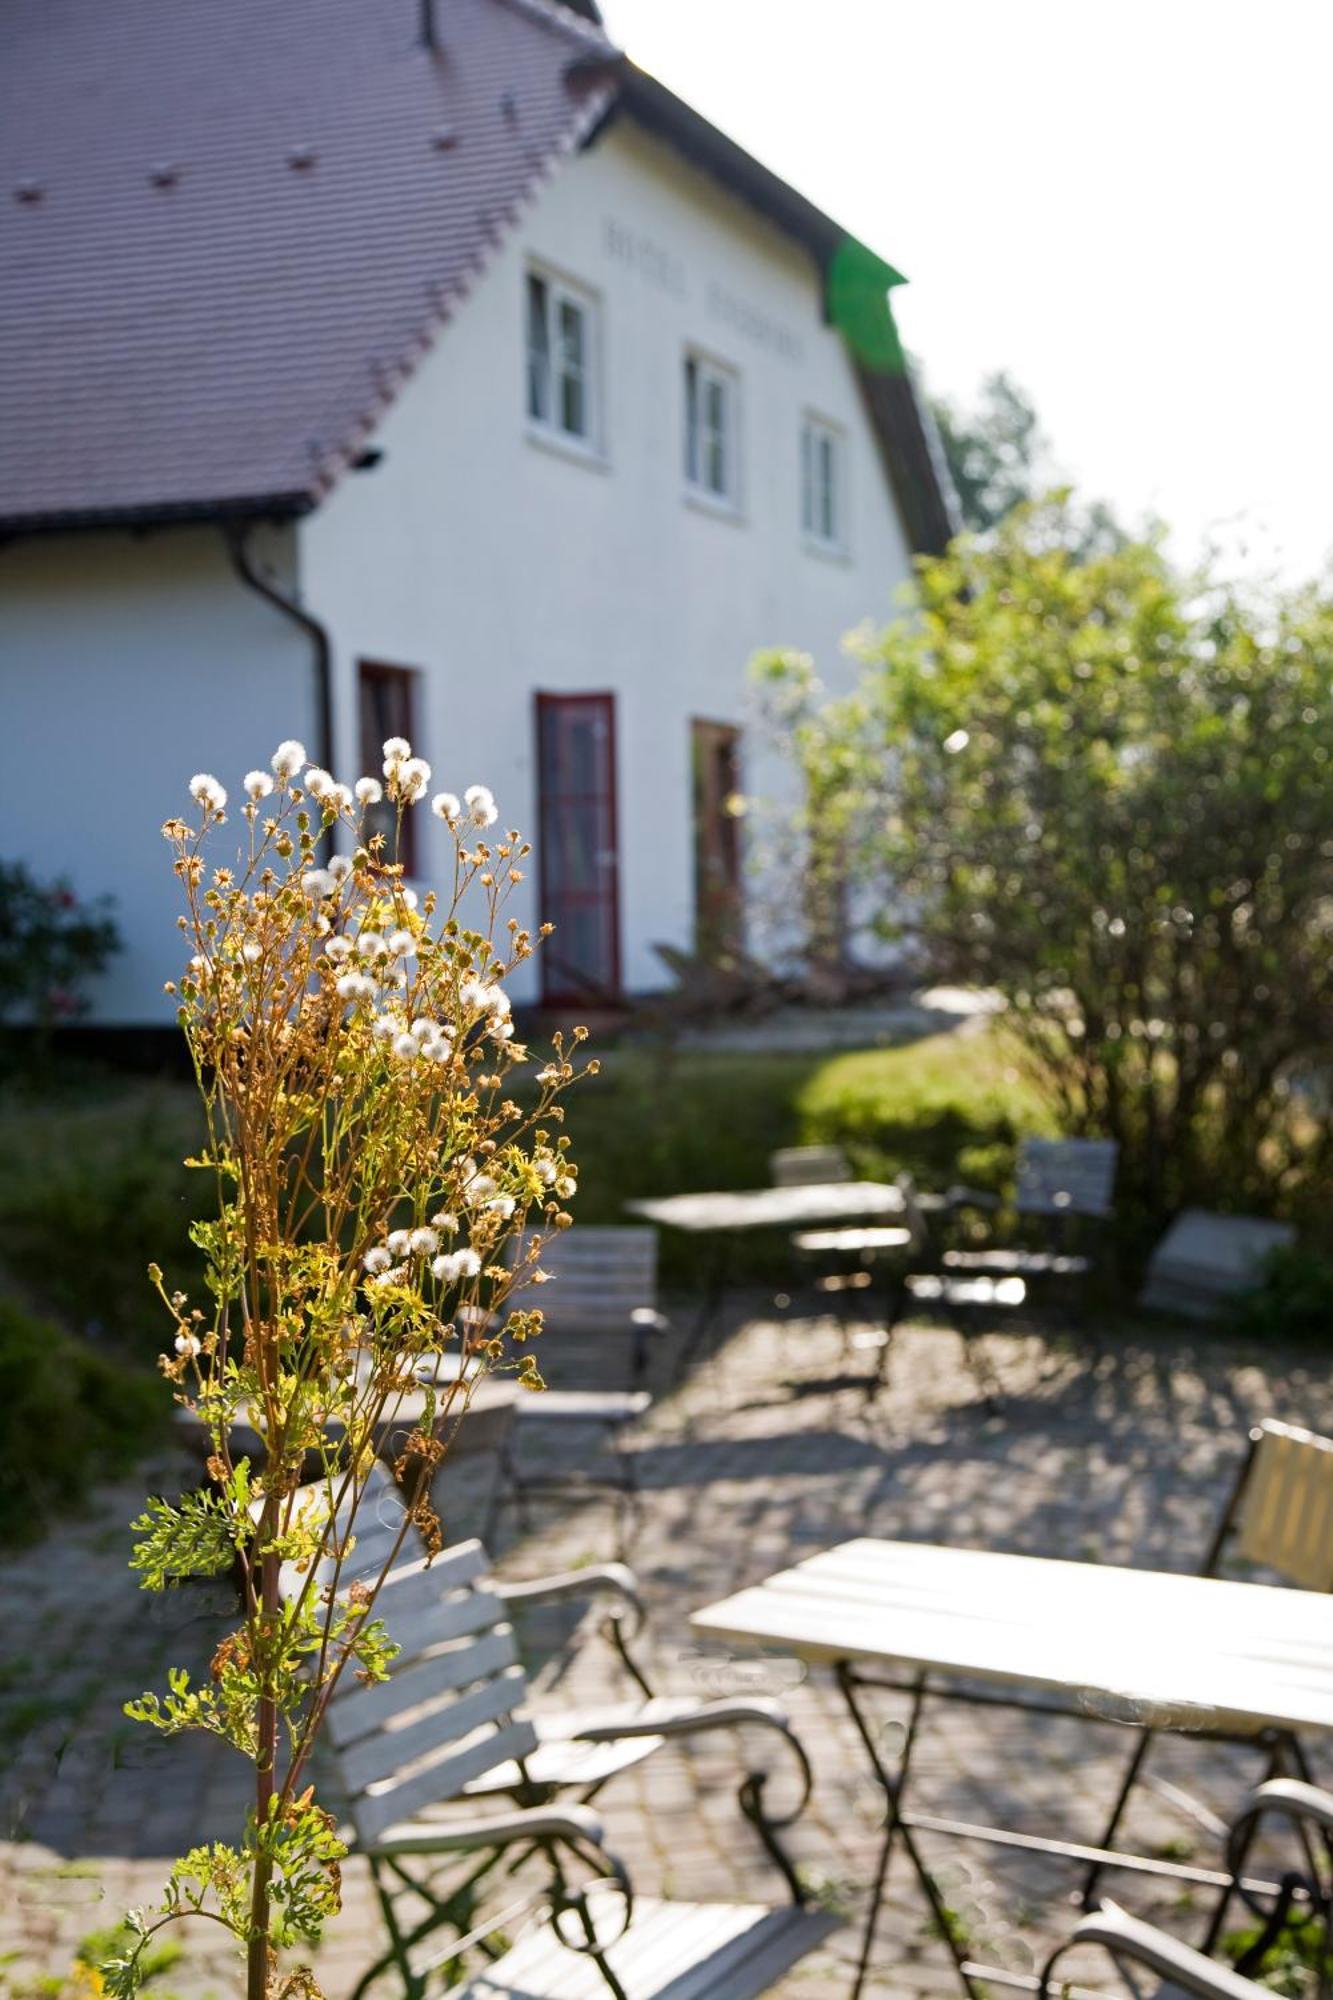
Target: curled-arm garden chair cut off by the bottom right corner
x,y
1300,1901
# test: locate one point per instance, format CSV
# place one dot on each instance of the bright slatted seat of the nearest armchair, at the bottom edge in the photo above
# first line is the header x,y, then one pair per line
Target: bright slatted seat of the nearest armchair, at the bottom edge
x,y
672,1951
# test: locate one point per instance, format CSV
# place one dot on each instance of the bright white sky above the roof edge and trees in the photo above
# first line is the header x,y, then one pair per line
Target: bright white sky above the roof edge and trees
x,y
1124,205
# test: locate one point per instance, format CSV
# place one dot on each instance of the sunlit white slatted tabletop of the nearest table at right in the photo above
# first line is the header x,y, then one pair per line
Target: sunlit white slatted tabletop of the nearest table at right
x,y
1134,1645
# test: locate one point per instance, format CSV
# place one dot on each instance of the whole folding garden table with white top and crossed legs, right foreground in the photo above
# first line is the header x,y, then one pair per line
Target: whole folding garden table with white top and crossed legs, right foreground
x,y
1114,1645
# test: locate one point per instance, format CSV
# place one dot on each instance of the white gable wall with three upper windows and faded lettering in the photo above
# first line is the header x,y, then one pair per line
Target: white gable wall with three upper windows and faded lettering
x,y
499,567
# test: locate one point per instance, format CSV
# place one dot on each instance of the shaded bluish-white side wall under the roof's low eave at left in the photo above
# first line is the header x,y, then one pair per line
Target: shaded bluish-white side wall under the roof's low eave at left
x,y
129,663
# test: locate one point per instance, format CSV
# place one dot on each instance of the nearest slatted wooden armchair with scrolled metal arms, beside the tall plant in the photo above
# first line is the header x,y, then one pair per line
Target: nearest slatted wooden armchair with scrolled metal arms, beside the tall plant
x,y
447,1733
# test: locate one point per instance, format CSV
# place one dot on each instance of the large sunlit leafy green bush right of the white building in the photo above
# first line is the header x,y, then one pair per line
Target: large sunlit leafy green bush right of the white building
x,y
1104,791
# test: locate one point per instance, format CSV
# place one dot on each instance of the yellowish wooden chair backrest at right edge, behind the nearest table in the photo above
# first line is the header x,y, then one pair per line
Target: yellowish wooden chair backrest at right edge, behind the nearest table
x,y
1286,1505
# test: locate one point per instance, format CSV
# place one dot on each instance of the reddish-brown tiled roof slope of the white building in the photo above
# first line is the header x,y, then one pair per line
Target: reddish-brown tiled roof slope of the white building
x,y
231,227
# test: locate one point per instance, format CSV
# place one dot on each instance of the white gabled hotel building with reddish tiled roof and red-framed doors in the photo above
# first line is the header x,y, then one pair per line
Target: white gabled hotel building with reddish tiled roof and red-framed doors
x,y
417,367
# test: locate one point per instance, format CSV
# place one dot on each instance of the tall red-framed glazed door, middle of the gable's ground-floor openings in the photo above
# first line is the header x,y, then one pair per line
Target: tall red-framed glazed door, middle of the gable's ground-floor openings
x,y
579,867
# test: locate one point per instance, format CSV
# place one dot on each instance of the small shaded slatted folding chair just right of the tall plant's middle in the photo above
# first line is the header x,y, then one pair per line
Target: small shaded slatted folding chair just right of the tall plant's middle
x,y
605,1285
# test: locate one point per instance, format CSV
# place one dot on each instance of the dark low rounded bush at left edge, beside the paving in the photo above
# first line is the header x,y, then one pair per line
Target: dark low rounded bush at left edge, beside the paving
x,y
67,1419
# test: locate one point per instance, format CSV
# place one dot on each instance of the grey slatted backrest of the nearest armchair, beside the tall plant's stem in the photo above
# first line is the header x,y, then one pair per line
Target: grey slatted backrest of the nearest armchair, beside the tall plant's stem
x,y
451,1705
